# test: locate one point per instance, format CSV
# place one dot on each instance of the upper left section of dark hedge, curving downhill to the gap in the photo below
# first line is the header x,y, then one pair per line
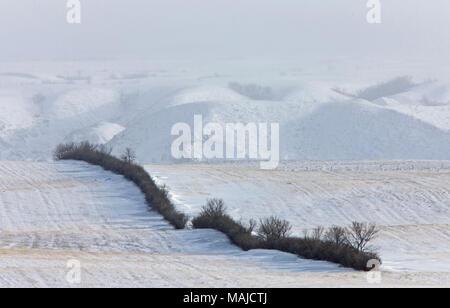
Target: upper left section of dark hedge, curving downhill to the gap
x,y
156,197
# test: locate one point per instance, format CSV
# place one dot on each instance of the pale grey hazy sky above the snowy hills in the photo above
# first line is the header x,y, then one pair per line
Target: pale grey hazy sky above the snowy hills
x,y
37,29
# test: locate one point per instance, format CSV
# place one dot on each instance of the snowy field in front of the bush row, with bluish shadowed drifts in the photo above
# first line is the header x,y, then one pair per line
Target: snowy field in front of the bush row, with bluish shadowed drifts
x,y
53,213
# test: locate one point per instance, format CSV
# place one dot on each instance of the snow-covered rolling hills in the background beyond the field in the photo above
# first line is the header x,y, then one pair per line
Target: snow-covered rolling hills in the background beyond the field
x,y
124,107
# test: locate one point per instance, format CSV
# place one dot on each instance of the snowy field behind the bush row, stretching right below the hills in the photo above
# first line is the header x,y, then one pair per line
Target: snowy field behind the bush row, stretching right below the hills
x,y
409,201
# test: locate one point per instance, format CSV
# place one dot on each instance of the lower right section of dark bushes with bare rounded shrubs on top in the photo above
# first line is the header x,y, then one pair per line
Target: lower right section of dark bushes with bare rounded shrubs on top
x,y
333,246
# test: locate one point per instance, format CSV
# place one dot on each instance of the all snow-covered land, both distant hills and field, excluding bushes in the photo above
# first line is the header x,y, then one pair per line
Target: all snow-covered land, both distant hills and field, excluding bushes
x,y
380,145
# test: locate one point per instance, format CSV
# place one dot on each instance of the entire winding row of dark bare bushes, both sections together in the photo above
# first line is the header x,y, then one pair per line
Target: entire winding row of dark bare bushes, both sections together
x,y
338,245
